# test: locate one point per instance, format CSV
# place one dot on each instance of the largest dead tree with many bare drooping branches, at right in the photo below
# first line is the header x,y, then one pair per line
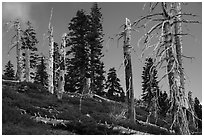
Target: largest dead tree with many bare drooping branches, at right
x,y
169,49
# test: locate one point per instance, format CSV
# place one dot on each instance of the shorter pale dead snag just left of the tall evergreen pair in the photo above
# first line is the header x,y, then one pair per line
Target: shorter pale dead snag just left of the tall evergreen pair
x,y
61,80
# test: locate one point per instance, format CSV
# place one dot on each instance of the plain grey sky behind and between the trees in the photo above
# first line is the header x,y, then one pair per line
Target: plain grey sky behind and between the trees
x,y
114,14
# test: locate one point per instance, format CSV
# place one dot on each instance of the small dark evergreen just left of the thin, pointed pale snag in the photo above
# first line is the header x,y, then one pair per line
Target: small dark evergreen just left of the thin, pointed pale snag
x,y
41,76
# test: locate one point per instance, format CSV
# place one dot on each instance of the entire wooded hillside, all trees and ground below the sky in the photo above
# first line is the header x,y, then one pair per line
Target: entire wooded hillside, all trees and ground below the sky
x,y
69,92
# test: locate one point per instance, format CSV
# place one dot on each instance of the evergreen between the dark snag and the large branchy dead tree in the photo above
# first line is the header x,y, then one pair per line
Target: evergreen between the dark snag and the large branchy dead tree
x,y
150,84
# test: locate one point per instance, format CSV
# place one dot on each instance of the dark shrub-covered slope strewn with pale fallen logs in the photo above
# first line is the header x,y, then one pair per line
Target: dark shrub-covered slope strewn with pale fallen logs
x,y
28,108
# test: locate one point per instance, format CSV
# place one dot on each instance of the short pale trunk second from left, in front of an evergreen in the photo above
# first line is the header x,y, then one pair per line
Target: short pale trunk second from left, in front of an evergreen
x,y
27,62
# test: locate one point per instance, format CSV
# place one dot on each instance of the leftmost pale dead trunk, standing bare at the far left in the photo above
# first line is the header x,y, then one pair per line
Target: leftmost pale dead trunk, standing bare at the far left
x,y
18,52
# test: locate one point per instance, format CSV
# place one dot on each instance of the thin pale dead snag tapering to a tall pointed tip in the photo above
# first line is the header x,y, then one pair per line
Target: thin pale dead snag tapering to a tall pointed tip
x,y
51,54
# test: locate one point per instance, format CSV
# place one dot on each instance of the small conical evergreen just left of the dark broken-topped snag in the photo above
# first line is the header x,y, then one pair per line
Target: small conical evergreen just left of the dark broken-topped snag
x,y
115,91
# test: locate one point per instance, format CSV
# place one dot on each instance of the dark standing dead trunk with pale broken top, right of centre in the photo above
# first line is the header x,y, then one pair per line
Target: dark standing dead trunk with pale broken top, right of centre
x,y
128,71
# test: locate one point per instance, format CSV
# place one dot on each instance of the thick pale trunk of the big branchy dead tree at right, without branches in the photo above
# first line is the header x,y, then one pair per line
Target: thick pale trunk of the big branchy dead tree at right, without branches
x,y
174,69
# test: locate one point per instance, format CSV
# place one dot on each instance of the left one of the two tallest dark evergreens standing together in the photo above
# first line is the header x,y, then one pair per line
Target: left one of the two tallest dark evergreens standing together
x,y
79,67
